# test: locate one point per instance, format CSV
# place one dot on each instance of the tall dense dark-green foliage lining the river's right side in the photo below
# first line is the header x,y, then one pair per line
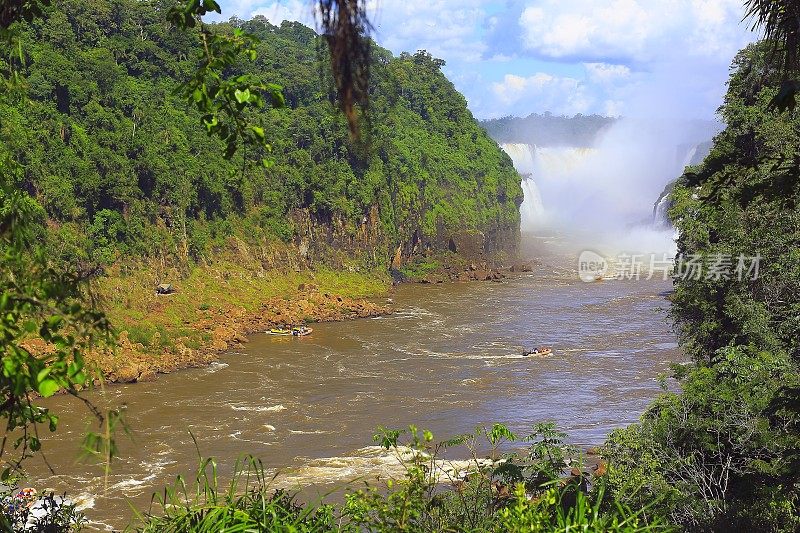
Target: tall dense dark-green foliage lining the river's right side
x,y
723,454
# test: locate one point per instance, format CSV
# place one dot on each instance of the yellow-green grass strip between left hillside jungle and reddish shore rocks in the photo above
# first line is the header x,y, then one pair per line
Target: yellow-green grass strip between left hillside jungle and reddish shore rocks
x,y
208,296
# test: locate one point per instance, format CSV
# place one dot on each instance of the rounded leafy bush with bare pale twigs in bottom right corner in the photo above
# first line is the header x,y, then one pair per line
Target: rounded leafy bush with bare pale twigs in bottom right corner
x,y
711,456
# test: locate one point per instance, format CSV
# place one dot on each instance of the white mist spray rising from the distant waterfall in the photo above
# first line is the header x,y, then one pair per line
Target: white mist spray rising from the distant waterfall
x,y
602,197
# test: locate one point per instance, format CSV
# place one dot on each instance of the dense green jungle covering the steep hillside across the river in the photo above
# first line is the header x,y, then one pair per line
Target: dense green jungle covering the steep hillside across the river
x,y
123,168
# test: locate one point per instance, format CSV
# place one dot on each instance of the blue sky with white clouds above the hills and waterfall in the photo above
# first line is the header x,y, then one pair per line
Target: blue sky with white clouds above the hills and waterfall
x,y
663,58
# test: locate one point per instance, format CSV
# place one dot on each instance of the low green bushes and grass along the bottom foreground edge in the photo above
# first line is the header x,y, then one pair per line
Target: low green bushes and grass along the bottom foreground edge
x,y
433,494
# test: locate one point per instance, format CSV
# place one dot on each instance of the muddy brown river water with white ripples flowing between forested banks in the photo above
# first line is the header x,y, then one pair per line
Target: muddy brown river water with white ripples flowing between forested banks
x,y
449,358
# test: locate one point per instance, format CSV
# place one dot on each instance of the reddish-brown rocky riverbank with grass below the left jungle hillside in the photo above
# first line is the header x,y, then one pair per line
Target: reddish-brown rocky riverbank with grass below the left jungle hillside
x,y
214,309
